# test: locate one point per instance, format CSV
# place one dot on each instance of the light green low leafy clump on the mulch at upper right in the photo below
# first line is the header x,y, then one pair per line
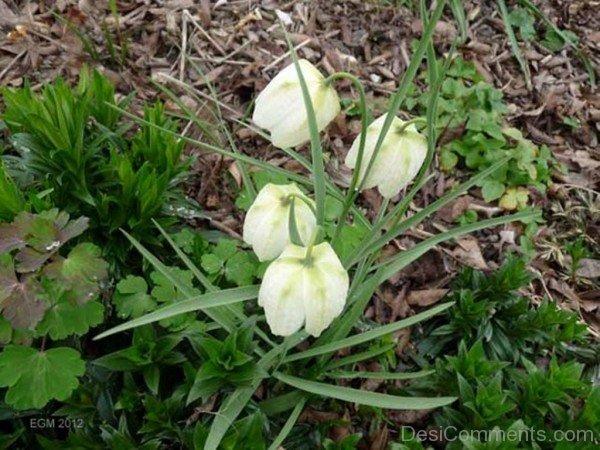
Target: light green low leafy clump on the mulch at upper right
x,y
474,109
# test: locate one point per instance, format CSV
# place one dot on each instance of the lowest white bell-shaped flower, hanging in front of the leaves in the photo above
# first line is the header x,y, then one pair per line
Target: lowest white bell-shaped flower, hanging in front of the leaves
x,y
297,290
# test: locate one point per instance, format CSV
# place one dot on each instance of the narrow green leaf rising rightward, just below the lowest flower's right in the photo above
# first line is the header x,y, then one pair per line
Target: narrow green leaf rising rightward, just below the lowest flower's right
x,y
368,335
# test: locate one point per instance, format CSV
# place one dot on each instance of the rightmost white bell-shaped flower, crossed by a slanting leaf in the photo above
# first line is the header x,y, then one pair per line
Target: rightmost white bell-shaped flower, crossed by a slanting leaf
x,y
398,161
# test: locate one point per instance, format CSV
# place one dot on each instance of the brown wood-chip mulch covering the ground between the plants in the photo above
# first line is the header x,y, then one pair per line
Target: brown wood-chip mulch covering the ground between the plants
x,y
238,47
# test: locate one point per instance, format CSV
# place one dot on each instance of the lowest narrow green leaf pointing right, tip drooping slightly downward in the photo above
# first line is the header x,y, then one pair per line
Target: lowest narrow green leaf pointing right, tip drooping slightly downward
x,y
364,397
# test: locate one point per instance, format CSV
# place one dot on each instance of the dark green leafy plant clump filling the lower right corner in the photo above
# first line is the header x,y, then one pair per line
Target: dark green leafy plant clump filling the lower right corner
x,y
514,366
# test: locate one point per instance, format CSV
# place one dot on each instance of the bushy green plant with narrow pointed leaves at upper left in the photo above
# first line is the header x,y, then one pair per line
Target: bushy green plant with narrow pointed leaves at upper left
x,y
75,146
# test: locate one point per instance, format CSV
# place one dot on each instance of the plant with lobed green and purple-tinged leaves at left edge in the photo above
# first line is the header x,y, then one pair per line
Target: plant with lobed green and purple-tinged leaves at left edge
x,y
44,295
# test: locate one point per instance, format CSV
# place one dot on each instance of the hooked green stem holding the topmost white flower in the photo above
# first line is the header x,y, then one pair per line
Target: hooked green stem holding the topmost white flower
x,y
351,194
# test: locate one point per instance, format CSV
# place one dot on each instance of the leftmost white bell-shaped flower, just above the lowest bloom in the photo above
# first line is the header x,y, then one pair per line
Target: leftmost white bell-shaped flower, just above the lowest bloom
x,y
266,227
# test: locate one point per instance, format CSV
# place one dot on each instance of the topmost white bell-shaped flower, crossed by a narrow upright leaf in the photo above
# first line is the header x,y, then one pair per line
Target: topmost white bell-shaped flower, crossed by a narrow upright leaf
x,y
280,106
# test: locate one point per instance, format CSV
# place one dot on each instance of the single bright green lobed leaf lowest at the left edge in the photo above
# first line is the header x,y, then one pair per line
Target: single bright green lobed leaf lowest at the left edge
x,y
33,378
